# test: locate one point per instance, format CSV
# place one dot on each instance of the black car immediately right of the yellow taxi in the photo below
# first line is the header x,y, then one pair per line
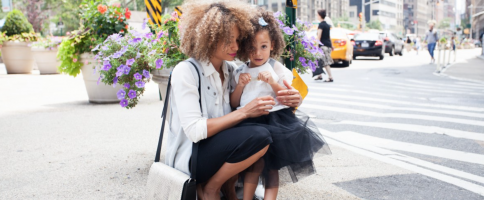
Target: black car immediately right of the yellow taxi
x,y
368,44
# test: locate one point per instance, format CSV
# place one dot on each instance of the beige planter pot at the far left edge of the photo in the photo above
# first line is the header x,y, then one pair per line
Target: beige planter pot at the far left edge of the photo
x,y
17,57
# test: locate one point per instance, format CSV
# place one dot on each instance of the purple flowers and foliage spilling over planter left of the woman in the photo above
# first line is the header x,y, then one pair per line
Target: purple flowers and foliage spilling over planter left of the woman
x,y
130,59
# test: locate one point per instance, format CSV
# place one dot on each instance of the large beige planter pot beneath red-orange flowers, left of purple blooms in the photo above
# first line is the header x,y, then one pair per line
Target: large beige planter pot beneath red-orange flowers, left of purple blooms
x,y
98,93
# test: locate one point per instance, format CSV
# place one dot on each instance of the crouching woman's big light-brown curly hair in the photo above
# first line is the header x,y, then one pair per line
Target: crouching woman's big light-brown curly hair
x,y
205,24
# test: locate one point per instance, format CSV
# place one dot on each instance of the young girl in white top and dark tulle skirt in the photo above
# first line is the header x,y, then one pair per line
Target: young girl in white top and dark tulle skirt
x,y
295,140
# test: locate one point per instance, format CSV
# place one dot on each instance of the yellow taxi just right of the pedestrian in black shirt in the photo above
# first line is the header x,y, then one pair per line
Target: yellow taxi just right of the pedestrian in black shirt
x,y
342,48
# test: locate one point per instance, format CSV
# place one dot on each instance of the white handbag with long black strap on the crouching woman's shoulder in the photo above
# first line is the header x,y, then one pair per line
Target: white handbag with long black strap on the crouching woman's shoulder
x,y
165,182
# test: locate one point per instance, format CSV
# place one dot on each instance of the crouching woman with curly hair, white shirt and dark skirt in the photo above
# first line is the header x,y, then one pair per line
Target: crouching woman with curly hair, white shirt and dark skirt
x,y
210,35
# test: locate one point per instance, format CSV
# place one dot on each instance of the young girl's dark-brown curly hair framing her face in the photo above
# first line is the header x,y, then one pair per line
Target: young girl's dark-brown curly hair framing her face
x,y
277,39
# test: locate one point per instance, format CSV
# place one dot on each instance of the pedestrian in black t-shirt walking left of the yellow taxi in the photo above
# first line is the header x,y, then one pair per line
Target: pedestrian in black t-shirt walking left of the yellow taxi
x,y
324,36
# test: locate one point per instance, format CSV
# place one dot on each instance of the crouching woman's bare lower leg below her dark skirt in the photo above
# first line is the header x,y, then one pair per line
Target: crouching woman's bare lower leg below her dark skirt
x,y
228,170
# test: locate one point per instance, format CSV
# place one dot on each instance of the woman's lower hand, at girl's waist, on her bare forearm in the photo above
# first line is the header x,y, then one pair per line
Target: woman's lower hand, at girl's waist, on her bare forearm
x,y
258,107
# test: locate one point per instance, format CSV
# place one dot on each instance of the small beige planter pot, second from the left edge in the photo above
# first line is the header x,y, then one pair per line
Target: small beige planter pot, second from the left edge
x,y
46,60
